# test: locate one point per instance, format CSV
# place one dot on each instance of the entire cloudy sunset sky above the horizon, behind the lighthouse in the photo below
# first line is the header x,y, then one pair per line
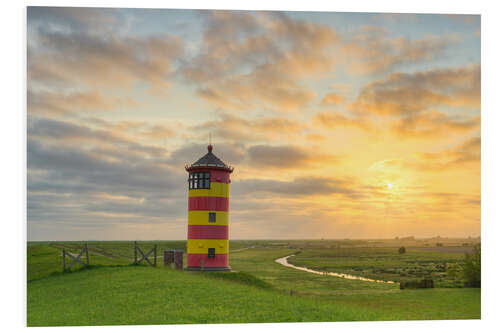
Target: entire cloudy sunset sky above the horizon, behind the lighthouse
x,y
338,125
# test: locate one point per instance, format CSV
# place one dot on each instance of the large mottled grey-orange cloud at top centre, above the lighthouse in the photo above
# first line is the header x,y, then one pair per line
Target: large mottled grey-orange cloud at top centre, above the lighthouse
x,y
251,60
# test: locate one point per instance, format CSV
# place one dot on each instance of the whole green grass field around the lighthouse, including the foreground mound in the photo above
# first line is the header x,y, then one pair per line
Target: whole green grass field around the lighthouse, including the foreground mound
x,y
114,292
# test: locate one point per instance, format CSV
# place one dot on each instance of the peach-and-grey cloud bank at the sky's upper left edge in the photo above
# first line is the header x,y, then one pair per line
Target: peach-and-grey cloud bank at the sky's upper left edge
x,y
83,59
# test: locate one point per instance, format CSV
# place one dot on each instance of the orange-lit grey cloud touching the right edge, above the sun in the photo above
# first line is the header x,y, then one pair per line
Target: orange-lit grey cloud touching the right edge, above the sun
x,y
404,94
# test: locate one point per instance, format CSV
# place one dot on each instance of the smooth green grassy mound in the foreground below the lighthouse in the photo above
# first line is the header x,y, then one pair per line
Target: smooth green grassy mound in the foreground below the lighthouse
x,y
141,295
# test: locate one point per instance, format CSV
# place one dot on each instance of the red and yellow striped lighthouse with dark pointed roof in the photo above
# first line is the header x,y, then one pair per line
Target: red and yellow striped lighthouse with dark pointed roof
x,y
208,214
